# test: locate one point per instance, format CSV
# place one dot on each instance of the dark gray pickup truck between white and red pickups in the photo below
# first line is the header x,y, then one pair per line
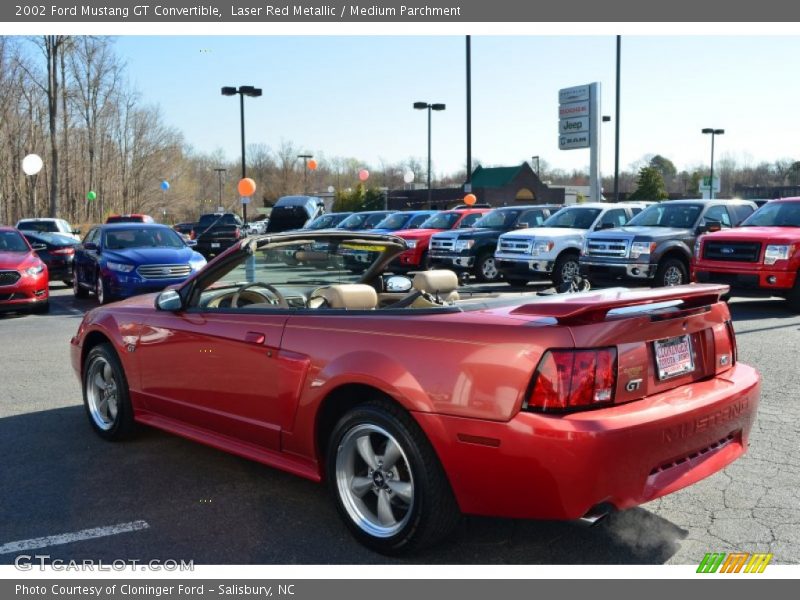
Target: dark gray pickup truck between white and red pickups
x,y
656,246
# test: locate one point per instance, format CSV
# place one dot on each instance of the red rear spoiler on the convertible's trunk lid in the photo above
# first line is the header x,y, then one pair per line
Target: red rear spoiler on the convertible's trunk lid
x,y
592,307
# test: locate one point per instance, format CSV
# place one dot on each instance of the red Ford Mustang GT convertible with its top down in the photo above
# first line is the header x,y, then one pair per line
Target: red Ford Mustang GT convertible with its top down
x,y
416,405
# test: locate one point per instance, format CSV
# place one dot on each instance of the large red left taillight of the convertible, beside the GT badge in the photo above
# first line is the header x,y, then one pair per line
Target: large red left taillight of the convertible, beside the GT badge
x,y
572,379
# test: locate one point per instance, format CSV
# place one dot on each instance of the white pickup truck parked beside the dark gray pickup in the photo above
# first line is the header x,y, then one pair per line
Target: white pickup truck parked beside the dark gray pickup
x,y
552,250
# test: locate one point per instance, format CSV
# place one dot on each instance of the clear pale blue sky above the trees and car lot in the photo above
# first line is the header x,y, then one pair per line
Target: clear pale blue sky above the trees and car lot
x,y
352,95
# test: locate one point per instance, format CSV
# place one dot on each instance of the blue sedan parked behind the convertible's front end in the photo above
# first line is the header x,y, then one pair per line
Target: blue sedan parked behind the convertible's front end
x,y
125,259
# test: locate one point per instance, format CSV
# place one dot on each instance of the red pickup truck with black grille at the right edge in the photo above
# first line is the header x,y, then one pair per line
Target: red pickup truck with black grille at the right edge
x,y
761,255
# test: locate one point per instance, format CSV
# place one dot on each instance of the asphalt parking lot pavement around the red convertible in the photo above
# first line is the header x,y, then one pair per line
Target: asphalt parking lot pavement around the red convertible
x,y
58,477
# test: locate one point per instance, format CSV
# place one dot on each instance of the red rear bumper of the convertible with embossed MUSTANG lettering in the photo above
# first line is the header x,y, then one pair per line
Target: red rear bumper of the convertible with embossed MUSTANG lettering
x,y
559,467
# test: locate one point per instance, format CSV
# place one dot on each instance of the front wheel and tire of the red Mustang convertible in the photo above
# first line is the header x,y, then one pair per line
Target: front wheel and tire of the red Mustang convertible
x,y
117,422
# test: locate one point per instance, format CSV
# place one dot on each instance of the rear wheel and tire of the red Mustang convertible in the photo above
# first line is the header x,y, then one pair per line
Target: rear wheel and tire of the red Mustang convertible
x,y
432,512
